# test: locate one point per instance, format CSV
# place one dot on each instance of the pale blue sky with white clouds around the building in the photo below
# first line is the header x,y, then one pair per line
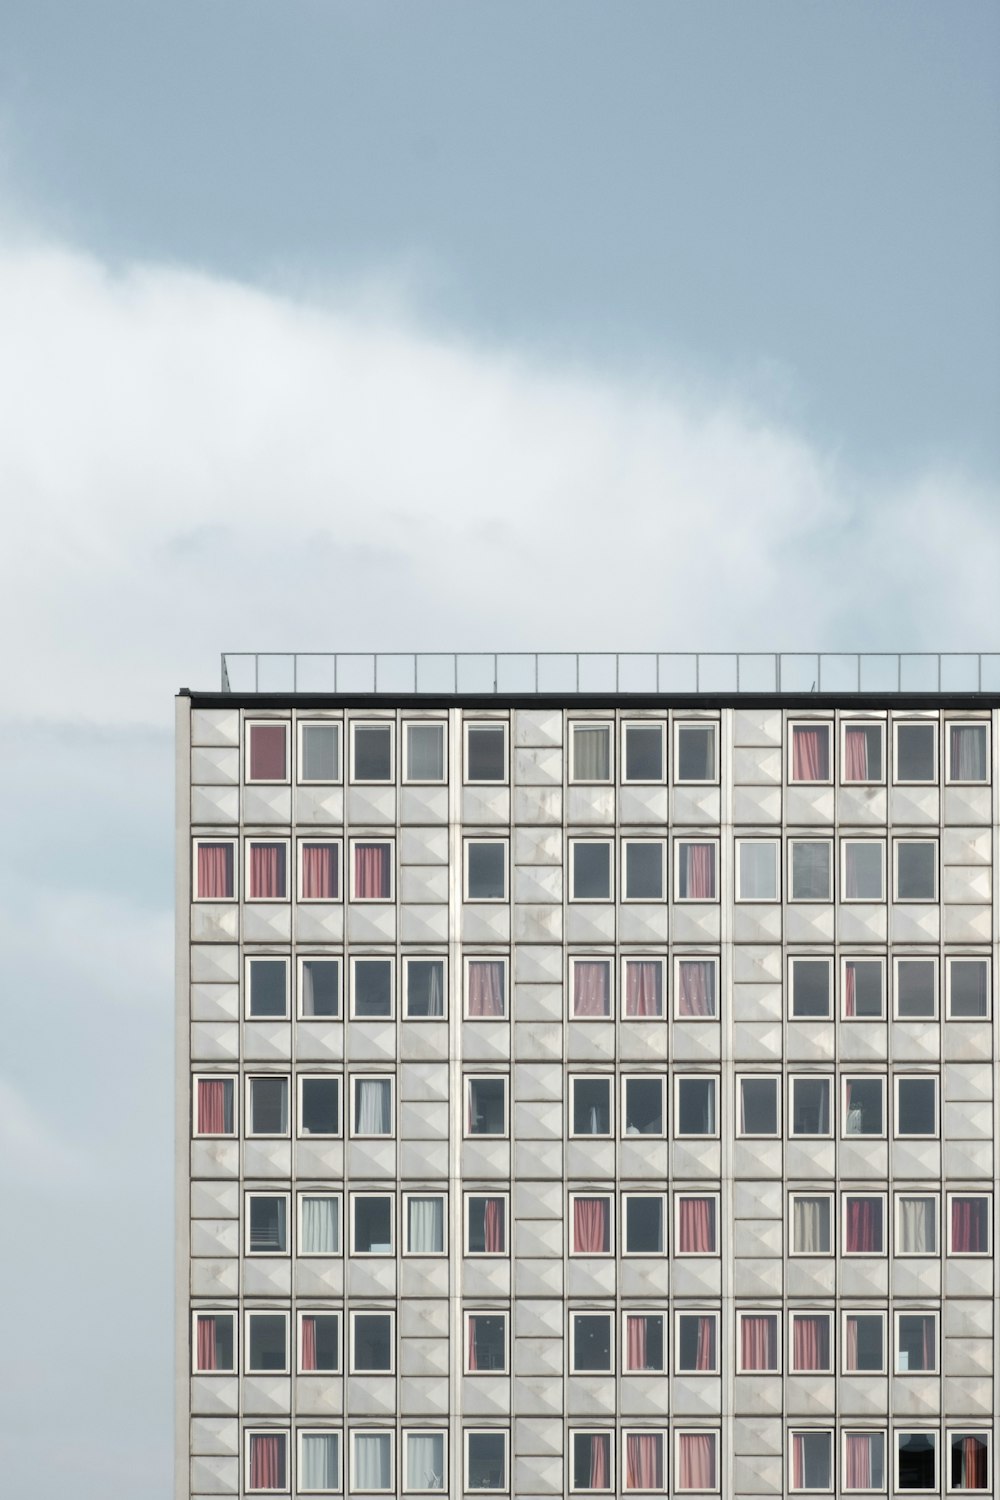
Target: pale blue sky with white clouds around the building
x,y
542,325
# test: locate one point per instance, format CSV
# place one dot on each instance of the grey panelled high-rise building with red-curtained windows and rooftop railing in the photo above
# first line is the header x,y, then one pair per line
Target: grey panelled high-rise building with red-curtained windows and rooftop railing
x,y
588,1091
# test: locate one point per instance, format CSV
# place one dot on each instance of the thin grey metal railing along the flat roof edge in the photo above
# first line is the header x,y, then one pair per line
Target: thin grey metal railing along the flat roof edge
x,y
485,673
